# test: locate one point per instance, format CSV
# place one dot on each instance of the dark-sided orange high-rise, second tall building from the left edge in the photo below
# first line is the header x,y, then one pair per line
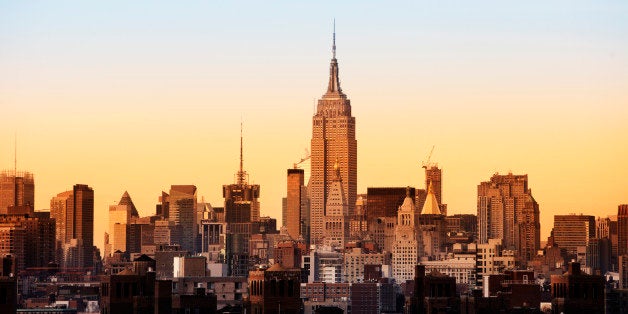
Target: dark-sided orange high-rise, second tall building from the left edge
x,y
74,214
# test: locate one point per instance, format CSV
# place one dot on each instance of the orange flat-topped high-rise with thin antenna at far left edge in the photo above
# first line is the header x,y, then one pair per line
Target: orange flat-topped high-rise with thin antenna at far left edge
x,y
17,192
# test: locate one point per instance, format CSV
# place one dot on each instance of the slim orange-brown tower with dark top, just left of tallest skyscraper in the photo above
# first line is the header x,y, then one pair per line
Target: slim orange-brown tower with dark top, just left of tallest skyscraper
x,y
294,202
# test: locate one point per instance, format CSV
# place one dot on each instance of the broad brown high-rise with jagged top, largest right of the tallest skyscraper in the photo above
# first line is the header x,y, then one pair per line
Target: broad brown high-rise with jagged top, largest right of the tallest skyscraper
x,y
507,211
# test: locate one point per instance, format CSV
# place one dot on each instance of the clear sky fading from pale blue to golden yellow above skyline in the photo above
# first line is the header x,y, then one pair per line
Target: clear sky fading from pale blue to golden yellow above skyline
x,y
139,95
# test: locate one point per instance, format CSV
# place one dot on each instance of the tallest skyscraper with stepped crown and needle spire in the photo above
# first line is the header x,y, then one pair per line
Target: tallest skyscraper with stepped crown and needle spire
x,y
333,138
